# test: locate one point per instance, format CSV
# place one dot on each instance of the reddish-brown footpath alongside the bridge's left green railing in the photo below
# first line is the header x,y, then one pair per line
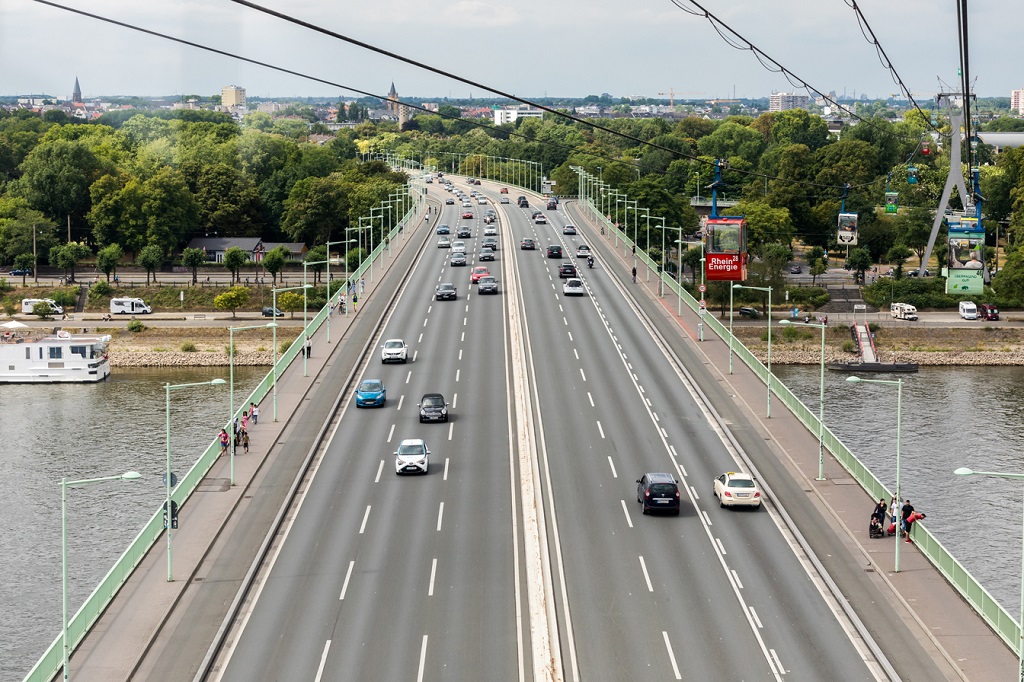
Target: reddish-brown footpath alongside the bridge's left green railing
x,y
135,624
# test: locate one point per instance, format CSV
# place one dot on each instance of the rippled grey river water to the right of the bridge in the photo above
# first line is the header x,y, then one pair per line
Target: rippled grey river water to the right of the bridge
x,y
952,418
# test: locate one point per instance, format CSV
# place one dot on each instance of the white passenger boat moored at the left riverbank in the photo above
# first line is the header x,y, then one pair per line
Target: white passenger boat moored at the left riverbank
x,y
29,356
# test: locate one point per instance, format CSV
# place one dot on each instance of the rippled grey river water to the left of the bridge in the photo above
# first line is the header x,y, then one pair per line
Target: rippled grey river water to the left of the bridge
x,y
88,432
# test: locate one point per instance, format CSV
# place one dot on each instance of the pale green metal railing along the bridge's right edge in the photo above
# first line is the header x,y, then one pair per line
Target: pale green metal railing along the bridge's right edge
x,y
973,592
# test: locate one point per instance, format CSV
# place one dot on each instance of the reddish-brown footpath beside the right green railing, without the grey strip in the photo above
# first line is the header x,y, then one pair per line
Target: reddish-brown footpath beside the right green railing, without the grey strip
x,y
943,623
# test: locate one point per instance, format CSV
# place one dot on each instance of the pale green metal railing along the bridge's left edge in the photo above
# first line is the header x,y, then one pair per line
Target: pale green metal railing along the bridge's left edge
x,y
79,625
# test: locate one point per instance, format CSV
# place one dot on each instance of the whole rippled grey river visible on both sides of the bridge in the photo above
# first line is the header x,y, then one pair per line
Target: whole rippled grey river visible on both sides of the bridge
x,y
953,417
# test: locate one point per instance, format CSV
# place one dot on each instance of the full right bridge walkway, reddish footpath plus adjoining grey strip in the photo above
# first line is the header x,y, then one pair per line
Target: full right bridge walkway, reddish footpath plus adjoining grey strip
x,y
912,615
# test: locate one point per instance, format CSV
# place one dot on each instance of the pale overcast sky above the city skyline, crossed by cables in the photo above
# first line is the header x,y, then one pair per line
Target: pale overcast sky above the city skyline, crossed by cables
x,y
532,49
